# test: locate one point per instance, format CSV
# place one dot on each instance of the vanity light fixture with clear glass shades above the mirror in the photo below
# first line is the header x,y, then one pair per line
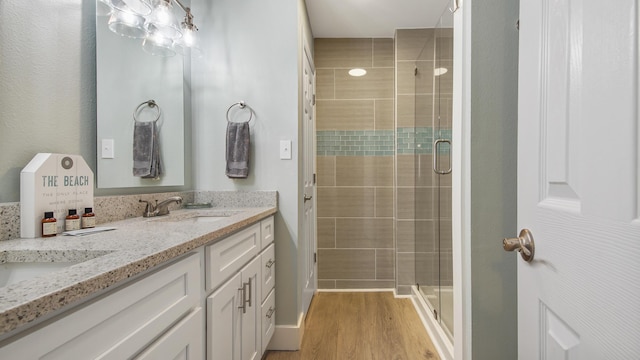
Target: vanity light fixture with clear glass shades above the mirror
x,y
155,22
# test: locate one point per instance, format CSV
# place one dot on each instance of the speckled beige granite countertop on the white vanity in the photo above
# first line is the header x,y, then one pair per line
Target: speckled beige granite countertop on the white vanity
x,y
106,259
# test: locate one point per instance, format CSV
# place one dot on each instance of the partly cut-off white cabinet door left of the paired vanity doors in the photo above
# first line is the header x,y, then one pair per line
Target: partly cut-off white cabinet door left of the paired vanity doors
x,y
182,341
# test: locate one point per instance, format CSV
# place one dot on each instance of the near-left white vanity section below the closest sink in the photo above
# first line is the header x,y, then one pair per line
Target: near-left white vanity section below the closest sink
x,y
120,325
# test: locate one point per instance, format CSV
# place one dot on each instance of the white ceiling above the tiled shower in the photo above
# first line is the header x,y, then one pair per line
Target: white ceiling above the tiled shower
x,y
371,18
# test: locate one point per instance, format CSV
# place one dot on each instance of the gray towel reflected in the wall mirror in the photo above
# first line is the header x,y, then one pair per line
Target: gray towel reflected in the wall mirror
x,y
146,150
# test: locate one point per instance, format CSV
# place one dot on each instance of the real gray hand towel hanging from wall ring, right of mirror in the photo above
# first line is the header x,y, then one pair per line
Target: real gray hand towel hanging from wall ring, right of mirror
x,y
238,144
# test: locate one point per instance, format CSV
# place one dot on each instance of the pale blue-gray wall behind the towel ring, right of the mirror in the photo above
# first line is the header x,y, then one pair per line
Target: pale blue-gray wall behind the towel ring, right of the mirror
x,y
251,52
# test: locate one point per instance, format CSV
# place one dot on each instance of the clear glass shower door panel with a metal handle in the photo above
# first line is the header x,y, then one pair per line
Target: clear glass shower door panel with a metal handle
x,y
433,125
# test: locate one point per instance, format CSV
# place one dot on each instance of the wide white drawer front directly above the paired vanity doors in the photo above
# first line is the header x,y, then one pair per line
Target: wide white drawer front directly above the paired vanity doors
x,y
228,256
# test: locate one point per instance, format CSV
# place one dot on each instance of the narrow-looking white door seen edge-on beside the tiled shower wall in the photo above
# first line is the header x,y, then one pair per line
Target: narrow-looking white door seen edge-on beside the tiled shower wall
x,y
309,221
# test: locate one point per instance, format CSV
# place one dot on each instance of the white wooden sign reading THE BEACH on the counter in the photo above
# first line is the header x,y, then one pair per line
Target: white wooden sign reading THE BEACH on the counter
x,y
53,182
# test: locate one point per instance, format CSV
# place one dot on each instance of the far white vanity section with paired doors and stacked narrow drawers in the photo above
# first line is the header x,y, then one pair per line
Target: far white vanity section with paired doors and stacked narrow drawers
x,y
235,309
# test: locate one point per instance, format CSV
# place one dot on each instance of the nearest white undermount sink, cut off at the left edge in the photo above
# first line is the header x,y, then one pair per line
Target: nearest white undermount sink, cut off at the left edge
x,y
19,265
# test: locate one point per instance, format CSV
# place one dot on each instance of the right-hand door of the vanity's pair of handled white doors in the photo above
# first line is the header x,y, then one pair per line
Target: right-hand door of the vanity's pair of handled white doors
x,y
251,325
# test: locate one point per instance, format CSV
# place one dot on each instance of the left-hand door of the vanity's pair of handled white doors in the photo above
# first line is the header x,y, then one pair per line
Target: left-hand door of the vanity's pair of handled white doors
x,y
224,321
